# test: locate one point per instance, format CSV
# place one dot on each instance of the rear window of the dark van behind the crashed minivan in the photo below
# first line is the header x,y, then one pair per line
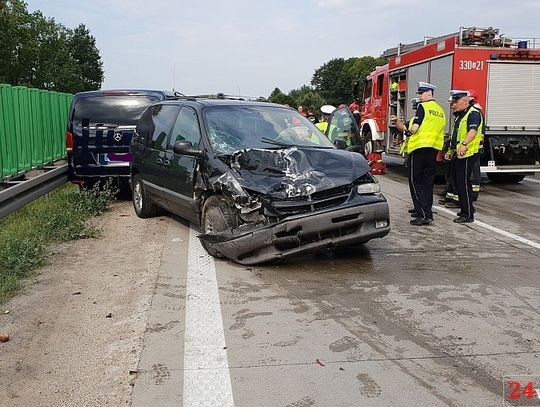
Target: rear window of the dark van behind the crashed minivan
x,y
112,110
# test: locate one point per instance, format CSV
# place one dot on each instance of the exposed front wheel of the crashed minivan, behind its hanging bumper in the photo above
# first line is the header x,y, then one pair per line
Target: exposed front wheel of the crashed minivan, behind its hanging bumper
x,y
218,215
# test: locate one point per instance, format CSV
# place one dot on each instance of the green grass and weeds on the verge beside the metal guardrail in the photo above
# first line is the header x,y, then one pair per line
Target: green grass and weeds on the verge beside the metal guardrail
x,y
60,216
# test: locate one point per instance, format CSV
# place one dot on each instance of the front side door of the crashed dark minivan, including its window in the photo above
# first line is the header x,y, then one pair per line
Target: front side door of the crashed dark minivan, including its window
x,y
180,180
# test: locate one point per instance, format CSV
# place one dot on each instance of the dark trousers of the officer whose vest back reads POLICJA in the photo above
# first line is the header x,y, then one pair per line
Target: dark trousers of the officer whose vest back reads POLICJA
x,y
422,170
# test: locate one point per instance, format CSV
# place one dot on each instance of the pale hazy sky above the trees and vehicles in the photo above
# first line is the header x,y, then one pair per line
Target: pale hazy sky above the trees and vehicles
x,y
250,47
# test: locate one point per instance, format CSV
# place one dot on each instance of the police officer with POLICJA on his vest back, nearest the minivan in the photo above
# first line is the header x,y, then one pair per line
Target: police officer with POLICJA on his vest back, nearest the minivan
x,y
426,139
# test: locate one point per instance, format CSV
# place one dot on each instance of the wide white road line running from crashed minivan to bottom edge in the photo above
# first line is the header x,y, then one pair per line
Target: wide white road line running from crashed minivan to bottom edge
x,y
206,372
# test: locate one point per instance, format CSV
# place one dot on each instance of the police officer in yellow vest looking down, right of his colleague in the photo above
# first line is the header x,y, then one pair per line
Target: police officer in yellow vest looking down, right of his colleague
x,y
463,151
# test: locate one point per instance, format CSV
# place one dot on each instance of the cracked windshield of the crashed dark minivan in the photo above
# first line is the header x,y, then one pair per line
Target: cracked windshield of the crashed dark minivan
x,y
232,128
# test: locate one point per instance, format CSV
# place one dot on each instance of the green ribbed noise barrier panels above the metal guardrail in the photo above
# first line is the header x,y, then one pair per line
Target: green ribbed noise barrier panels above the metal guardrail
x,y
32,128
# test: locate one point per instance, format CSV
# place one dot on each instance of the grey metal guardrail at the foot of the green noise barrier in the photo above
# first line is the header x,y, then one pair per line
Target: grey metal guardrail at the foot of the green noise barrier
x,y
22,193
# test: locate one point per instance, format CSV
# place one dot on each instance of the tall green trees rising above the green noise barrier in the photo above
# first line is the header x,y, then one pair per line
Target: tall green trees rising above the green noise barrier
x,y
38,52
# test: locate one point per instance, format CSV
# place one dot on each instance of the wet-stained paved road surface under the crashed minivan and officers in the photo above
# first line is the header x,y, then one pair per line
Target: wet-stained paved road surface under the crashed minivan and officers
x,y
444,315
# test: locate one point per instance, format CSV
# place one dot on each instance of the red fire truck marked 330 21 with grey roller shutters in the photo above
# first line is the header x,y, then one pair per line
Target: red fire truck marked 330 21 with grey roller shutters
x,y
503,73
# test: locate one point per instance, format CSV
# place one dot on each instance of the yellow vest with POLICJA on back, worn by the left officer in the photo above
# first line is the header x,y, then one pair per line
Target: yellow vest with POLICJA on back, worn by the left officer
x,y
431,131
